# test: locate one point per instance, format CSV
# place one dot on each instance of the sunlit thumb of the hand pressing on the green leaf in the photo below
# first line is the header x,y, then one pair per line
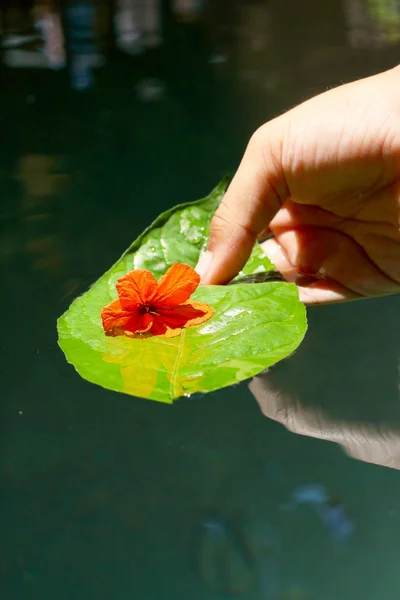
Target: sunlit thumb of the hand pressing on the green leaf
x,y
254,196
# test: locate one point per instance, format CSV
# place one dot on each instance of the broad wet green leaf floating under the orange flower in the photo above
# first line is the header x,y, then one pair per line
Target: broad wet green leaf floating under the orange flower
x,y
253,326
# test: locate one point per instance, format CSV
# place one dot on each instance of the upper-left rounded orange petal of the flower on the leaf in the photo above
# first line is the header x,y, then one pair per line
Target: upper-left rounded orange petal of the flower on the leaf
x,y
136,288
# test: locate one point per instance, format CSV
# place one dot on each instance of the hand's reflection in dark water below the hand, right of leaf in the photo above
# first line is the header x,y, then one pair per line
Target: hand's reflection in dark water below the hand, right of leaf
x,y
343,384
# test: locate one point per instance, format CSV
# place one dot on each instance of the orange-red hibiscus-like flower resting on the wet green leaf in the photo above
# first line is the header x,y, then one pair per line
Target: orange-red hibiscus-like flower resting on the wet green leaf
x,y
156,308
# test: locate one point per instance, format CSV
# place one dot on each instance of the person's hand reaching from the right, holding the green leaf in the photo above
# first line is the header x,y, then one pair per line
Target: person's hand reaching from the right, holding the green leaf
x,y
324,179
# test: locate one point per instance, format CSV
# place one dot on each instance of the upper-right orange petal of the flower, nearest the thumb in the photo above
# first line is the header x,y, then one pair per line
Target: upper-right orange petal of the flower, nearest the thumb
x,y
176,285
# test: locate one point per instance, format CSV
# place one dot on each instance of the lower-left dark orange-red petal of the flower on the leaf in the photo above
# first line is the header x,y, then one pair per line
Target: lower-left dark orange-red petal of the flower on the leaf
x,y
117,321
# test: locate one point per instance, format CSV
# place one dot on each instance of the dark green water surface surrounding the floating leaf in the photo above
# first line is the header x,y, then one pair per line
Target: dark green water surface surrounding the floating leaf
x,y
105,496
